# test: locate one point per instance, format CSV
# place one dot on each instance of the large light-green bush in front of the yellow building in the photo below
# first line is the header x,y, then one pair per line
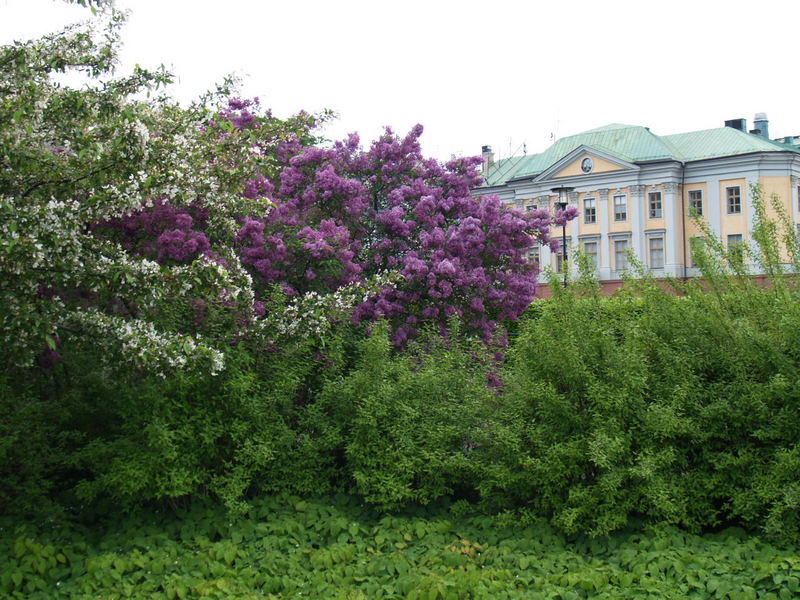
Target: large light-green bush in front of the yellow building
x,y
677,407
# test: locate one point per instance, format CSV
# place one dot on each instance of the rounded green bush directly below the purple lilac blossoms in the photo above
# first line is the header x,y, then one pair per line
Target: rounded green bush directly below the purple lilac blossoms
x,y
414,426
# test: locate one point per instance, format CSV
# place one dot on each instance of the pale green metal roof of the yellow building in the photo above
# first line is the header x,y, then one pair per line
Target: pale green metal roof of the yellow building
x,y
636,144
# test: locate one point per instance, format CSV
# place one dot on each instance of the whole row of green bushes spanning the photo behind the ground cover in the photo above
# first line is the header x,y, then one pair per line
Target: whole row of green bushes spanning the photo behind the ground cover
x,y
679,409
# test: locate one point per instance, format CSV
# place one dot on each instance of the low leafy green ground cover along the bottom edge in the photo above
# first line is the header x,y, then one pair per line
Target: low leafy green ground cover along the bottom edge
x,y
329,547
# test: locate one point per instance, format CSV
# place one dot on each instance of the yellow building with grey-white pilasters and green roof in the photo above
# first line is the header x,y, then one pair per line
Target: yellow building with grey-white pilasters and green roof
x,y
636,191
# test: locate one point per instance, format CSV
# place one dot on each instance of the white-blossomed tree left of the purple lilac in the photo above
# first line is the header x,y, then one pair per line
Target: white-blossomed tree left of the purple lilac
x,y
72,160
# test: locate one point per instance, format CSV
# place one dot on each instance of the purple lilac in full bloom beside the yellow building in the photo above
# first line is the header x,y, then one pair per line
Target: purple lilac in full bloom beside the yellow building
x,y
342,214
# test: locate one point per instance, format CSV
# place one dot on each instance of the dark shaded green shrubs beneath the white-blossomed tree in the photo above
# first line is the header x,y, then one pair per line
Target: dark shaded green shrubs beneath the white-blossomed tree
x,y
84,437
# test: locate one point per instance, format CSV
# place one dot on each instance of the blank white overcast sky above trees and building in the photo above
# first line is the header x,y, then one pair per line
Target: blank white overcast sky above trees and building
x,y
496,72
